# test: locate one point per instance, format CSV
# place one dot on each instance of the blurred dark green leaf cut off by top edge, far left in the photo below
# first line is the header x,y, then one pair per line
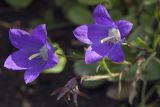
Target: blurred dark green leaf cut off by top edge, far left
x,y
19,3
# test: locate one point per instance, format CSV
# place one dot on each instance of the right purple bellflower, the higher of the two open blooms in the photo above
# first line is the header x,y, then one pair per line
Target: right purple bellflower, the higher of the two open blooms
x,y
105,37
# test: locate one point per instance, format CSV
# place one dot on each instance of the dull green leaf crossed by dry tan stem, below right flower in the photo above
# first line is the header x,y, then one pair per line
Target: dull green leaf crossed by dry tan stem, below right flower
x,y
81,69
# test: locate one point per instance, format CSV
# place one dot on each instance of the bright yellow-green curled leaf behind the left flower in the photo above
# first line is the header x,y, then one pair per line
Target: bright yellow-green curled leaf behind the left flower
x,y
62,61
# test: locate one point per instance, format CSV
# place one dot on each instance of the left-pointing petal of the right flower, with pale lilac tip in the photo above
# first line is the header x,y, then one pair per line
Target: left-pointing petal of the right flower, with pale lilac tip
x,y
91,33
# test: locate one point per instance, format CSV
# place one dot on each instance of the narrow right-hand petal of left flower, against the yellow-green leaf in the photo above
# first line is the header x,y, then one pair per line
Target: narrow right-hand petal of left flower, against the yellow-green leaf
x,y
52,59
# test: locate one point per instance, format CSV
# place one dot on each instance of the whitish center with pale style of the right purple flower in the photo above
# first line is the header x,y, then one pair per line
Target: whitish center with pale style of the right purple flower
x,y
113,36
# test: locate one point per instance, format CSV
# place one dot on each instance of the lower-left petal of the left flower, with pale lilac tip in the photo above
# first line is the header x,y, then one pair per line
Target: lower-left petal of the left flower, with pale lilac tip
x,y
20,60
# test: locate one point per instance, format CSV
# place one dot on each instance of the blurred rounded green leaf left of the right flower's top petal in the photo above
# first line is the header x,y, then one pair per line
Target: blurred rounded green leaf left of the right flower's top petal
x,y
79,15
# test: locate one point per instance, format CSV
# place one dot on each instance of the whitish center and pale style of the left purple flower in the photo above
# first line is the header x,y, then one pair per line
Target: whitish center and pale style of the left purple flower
x,y
43,53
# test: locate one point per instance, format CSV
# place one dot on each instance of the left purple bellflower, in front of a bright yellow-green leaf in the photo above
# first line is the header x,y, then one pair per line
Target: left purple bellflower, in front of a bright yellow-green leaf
x,y
35,53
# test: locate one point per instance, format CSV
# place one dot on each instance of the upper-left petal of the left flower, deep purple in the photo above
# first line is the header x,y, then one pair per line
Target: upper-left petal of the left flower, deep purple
x,y
22,39
